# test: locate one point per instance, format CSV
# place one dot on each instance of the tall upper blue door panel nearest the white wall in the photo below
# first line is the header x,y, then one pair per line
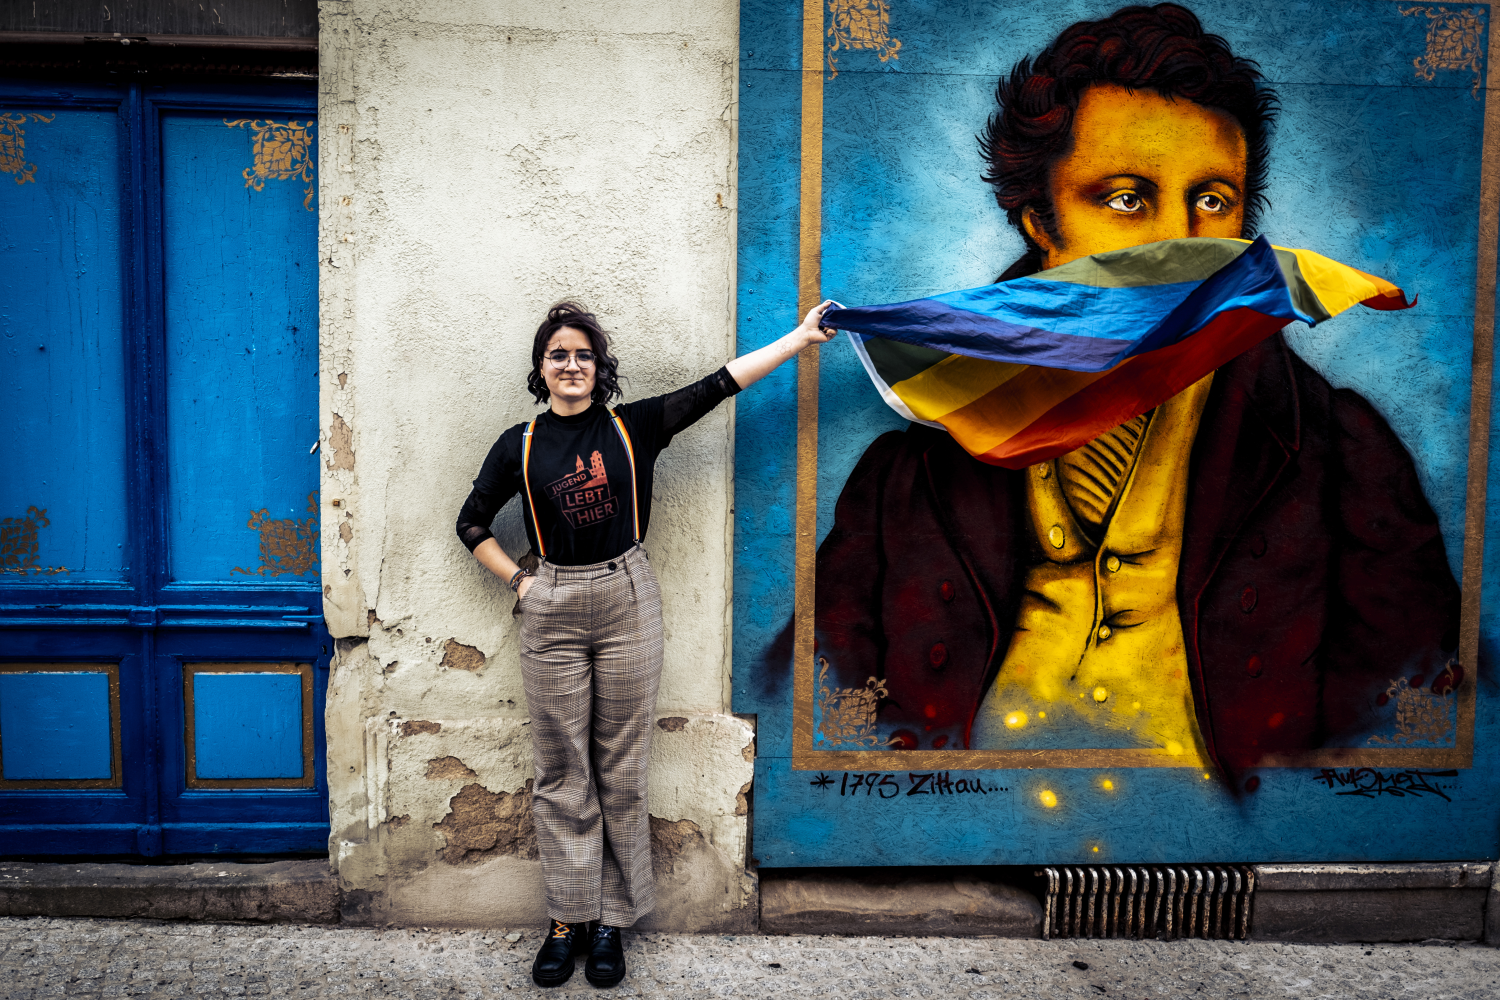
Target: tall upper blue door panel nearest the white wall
x,y
239,257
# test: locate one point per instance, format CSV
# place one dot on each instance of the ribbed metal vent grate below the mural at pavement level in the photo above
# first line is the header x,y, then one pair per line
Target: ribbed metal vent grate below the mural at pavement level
x,y
1163,902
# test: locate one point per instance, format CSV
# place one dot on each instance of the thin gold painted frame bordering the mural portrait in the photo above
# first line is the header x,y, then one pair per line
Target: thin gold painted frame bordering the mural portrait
x,y
809,293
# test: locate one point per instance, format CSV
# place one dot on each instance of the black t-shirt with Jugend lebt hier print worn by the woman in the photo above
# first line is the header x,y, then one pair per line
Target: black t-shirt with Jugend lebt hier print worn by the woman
x,y
581,478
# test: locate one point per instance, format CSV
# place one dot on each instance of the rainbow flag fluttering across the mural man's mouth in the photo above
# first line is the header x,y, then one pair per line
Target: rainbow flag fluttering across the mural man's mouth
x,y
1033,368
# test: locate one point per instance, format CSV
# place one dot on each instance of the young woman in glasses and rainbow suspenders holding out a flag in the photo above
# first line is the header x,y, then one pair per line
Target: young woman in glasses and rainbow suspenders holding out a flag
x,y
592,618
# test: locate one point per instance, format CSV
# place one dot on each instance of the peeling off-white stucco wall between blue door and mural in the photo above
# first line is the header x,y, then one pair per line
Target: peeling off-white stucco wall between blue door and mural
x,y
479,161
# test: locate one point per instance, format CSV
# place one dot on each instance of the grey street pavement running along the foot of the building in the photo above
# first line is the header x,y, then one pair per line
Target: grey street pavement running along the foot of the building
x,y
143,959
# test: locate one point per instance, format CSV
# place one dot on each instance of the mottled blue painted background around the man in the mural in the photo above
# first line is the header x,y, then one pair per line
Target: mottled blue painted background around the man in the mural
x,y
1370,166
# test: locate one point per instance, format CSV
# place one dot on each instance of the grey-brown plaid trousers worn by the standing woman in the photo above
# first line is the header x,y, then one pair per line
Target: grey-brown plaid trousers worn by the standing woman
x,y
592,662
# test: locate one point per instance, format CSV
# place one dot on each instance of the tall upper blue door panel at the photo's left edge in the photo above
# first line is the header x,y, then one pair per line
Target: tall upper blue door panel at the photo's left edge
x,y
62,334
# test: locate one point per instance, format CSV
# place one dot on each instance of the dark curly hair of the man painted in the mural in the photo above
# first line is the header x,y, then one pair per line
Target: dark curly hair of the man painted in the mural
x,y
1162,49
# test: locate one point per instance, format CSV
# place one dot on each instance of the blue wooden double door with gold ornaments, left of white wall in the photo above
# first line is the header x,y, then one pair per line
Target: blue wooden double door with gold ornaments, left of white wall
x,y
163,653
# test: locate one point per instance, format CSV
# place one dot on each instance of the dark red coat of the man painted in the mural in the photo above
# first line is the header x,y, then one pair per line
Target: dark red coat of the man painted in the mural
x,y
1313,572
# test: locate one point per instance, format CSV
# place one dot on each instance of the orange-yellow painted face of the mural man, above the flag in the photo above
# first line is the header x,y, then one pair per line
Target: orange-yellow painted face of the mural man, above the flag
x,y
1144,169
